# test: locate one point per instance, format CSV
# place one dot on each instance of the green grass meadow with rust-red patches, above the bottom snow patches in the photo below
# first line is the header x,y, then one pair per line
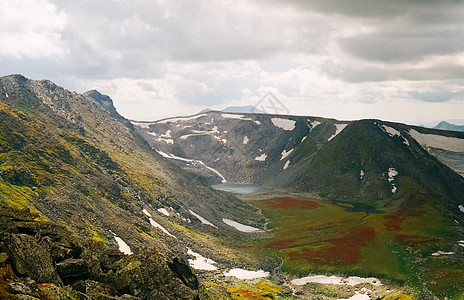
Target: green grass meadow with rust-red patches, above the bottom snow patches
x,y
321,237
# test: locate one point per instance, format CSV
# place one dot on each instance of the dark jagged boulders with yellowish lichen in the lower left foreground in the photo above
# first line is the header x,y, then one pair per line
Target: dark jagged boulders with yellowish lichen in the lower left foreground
x,y
33,265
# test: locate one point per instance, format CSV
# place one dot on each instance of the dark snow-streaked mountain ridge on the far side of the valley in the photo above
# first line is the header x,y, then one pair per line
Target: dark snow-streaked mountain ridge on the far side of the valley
x,y
370,161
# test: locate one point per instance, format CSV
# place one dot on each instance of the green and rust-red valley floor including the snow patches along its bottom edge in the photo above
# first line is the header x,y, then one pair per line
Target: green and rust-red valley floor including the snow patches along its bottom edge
x,y
336,250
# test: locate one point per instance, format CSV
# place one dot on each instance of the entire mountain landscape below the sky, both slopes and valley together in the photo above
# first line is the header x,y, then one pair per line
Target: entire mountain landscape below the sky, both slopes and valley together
x,y
93,206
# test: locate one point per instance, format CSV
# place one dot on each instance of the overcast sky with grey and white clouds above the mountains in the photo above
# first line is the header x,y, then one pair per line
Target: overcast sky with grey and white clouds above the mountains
x,y
394,60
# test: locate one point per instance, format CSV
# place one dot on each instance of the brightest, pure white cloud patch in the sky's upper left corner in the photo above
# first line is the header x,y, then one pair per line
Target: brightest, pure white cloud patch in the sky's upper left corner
x,y
31,28
